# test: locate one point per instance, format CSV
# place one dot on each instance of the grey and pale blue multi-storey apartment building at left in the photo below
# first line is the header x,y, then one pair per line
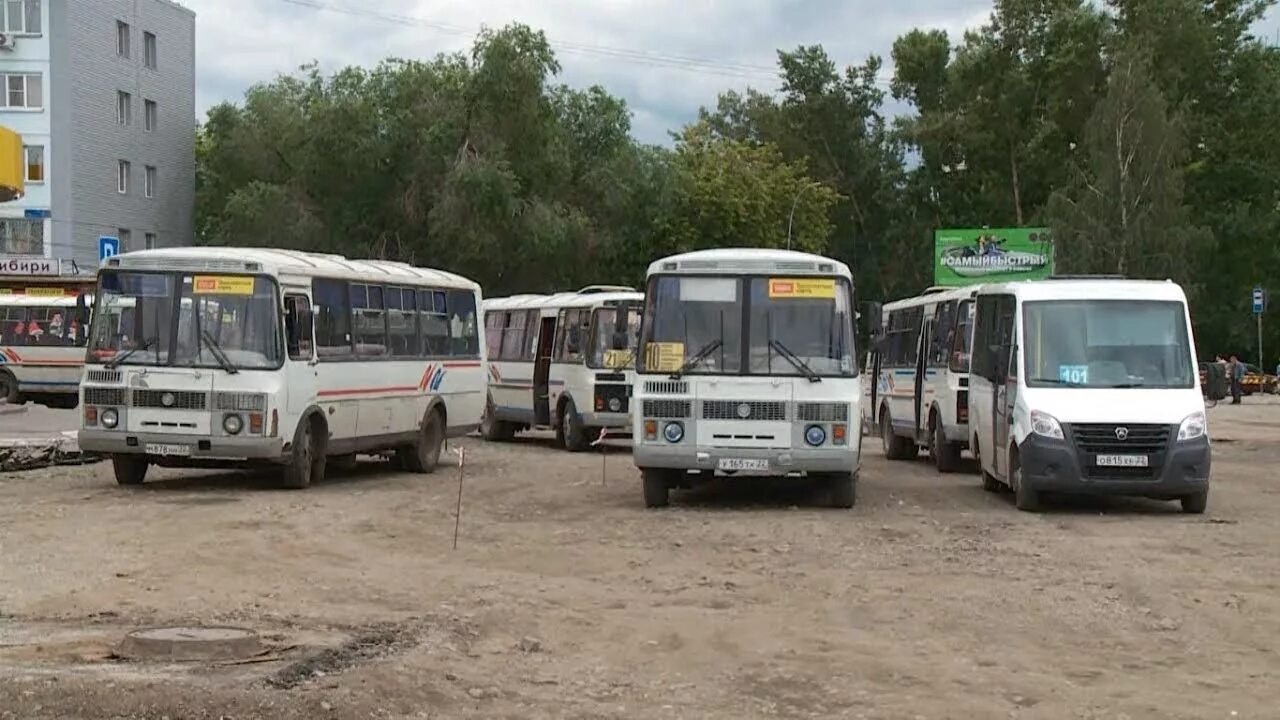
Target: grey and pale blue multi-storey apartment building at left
x,y
103,95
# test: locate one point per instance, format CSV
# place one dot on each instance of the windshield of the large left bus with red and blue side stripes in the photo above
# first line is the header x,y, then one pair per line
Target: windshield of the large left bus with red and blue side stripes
x,y
189,321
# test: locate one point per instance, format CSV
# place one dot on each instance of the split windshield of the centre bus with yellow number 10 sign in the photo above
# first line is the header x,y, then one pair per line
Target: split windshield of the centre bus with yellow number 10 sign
x,y
757,326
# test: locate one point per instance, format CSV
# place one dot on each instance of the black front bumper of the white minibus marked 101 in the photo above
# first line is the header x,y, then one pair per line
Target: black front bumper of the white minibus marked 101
x,y
1054,466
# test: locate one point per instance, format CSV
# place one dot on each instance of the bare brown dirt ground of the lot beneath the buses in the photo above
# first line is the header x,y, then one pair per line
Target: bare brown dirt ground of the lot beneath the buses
x,y
568,599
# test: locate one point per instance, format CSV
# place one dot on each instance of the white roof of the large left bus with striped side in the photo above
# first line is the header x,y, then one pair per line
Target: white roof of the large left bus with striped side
x,y
277,262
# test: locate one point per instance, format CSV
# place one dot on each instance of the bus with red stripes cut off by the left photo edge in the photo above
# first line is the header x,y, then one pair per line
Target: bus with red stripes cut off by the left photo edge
x,y
44,321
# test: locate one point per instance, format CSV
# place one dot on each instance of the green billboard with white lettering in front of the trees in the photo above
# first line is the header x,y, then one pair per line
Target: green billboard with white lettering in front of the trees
x,y
970,257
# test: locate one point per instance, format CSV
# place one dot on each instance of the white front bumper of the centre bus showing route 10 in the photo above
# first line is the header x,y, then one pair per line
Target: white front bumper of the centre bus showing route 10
x,y
781,462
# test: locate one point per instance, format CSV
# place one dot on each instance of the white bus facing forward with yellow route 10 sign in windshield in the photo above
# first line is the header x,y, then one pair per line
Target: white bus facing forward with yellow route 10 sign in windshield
x,y
747,368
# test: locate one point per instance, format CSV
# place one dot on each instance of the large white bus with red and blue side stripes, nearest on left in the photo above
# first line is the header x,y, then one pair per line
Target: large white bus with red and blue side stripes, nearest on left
x,y
232,357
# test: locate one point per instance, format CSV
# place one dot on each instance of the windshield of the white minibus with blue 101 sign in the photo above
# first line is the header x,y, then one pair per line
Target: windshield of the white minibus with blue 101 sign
x,y
1108,344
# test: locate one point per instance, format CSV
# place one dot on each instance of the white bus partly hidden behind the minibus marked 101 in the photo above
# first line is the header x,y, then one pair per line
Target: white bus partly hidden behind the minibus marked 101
x,y
917,386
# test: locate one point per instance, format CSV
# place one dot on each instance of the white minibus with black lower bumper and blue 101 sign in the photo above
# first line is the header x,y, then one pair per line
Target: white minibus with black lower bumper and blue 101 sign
x,y
1089,386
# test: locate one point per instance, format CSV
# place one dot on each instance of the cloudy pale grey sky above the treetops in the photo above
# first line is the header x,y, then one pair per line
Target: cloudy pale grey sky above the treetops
x,y
665,57
